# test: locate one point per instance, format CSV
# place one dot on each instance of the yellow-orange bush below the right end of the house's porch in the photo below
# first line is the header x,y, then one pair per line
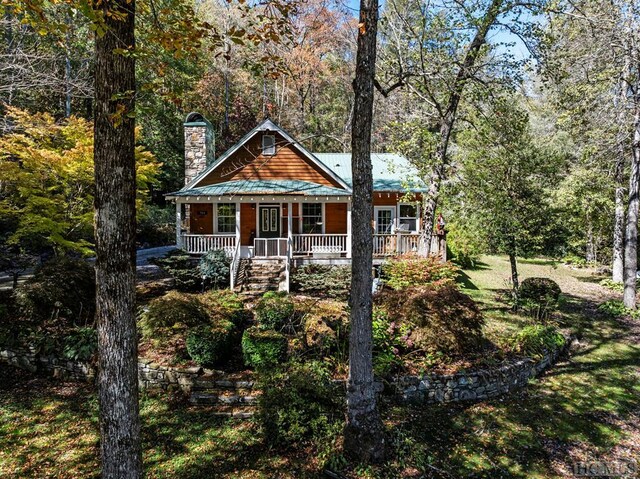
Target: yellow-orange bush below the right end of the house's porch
x,y
413,271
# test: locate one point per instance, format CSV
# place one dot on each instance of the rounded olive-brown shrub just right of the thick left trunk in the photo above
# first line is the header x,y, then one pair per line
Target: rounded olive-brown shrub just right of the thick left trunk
x,y
170,314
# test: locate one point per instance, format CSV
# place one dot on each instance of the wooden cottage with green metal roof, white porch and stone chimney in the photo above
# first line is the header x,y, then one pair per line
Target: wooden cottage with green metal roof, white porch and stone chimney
x,y
268,199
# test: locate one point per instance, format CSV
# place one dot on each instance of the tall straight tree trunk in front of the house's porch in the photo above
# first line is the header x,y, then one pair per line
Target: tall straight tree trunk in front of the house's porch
x,y
364,432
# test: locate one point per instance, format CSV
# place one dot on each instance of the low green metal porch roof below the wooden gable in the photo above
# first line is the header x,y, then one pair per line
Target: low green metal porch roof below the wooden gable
x,y
263,187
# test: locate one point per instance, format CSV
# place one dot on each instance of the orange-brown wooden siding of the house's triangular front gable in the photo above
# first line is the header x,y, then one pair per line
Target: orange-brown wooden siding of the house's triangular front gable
x,y
248,163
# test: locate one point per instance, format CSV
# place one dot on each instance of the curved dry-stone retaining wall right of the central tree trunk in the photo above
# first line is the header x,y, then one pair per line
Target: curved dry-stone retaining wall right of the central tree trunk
x,y
475,385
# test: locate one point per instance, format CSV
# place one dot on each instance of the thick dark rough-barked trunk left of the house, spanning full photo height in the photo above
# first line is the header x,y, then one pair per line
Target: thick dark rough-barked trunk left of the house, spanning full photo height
x,y
115,243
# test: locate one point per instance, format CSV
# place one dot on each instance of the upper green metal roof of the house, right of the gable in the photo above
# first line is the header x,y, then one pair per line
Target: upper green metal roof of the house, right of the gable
x,y
391,172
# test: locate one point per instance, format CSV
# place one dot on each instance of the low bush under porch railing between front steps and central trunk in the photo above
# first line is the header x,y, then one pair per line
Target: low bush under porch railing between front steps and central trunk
x,y
322,280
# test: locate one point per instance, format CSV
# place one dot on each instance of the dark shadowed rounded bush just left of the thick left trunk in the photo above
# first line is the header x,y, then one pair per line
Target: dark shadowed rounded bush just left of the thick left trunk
x,y
62,287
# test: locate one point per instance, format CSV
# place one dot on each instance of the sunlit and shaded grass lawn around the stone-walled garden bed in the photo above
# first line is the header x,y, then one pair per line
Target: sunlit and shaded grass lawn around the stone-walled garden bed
x,y
585,408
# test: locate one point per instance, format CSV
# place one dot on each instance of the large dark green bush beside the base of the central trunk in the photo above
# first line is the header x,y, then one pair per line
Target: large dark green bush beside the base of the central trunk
x,y
299,405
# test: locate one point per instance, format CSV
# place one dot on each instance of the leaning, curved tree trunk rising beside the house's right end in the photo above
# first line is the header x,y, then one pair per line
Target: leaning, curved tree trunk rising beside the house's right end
x,y
448,119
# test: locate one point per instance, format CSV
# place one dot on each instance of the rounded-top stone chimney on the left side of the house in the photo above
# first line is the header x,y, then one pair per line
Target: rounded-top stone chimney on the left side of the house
x,y
199,146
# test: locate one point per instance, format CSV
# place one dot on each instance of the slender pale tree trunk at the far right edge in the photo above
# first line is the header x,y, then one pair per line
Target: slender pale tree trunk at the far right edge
x,y
631,236
